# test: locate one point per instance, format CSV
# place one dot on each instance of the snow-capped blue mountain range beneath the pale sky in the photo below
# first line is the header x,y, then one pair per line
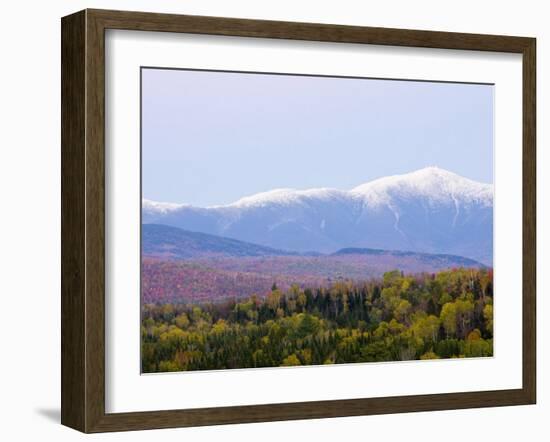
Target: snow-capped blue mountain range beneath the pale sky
x,y
430,210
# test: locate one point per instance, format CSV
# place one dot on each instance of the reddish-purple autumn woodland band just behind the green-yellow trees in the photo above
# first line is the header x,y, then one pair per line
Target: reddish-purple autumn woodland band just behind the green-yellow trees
x,y
215,279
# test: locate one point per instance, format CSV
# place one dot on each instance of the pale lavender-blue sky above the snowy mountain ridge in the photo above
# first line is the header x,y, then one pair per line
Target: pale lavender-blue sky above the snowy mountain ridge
x,y
213,137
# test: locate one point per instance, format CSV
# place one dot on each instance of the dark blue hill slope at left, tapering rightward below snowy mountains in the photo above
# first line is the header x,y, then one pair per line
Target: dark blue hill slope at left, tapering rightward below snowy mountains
x,y
175,243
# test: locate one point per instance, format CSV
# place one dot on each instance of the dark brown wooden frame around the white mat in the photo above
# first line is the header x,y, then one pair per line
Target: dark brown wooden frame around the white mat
x,y
83,216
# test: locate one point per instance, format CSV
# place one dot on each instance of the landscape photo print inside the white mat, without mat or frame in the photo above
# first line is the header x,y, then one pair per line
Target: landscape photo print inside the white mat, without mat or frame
x,y
294,220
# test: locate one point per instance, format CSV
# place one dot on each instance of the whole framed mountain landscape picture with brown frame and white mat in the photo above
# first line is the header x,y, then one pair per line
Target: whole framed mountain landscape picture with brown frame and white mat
x,y
269,220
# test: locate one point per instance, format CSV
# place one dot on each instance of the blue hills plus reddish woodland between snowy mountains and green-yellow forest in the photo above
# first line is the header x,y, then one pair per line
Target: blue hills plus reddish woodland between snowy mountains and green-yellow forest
x,y
183,266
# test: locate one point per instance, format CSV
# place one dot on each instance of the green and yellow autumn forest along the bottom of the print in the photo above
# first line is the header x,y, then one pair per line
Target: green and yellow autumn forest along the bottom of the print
x,y
398,317
